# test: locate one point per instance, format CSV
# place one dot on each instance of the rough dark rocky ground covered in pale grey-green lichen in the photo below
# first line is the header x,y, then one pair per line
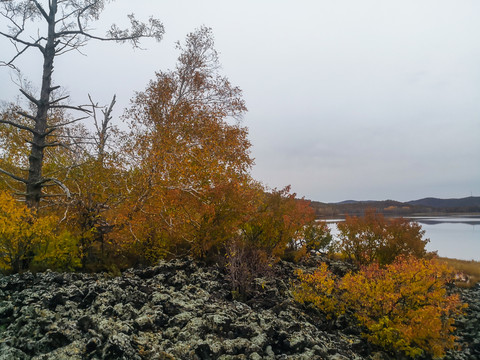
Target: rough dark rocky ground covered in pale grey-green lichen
x,y
180,310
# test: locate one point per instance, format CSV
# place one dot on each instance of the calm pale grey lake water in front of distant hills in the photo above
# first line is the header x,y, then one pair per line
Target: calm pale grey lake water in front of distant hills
x,y
452,237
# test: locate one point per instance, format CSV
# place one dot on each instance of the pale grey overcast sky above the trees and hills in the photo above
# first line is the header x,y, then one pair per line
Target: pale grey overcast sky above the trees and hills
x,y
347,99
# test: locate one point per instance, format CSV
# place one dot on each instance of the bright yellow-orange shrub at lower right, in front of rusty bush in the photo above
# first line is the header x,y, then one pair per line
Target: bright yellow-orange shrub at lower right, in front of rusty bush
x,y
404,306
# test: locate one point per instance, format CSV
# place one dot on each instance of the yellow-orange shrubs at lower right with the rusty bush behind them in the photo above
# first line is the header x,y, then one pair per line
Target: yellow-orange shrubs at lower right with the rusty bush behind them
x,y
398,296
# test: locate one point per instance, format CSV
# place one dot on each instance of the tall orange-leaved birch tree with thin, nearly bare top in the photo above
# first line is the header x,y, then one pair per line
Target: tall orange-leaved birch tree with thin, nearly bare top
x,y
188,184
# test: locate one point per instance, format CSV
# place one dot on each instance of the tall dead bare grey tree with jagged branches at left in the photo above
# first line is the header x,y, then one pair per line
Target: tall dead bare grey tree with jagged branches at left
x,y
59,26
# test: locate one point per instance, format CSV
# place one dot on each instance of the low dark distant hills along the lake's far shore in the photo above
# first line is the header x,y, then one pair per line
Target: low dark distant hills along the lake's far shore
x,y
395,208
